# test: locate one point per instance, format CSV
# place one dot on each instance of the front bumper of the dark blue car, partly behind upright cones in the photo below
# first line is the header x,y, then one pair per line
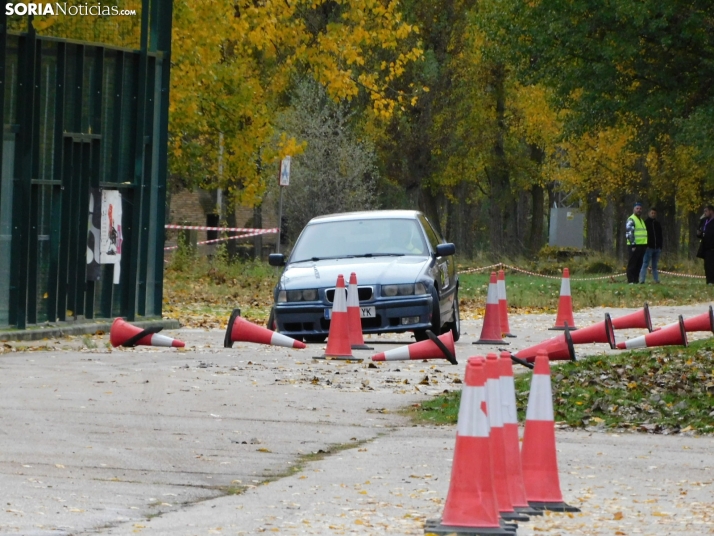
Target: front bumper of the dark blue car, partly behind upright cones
x,y
299,320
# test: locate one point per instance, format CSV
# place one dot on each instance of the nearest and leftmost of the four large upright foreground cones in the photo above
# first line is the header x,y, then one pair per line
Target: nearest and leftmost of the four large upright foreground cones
x,y
470,506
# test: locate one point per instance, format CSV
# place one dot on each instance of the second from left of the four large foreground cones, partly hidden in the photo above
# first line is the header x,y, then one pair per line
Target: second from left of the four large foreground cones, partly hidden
x,y
498,453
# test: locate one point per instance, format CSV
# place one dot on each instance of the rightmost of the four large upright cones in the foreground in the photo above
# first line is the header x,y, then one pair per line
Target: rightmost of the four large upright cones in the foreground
x,y
538,455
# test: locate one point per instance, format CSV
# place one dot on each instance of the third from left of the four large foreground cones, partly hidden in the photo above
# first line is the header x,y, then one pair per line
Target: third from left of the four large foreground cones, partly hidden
x,y
511,441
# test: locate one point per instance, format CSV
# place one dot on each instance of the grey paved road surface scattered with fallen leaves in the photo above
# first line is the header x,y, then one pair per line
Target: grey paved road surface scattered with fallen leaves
x,y
244,440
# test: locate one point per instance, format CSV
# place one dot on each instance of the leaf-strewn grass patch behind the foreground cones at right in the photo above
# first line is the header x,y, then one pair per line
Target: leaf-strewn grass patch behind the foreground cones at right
x,y
664,390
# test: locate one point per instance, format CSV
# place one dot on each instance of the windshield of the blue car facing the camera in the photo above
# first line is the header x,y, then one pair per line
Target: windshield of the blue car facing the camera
x,y
359,238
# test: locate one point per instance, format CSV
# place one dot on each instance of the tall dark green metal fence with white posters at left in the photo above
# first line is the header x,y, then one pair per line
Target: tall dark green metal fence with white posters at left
x,y
78,117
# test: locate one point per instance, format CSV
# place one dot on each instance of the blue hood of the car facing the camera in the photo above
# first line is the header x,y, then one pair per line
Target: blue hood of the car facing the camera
x,y
370,271
